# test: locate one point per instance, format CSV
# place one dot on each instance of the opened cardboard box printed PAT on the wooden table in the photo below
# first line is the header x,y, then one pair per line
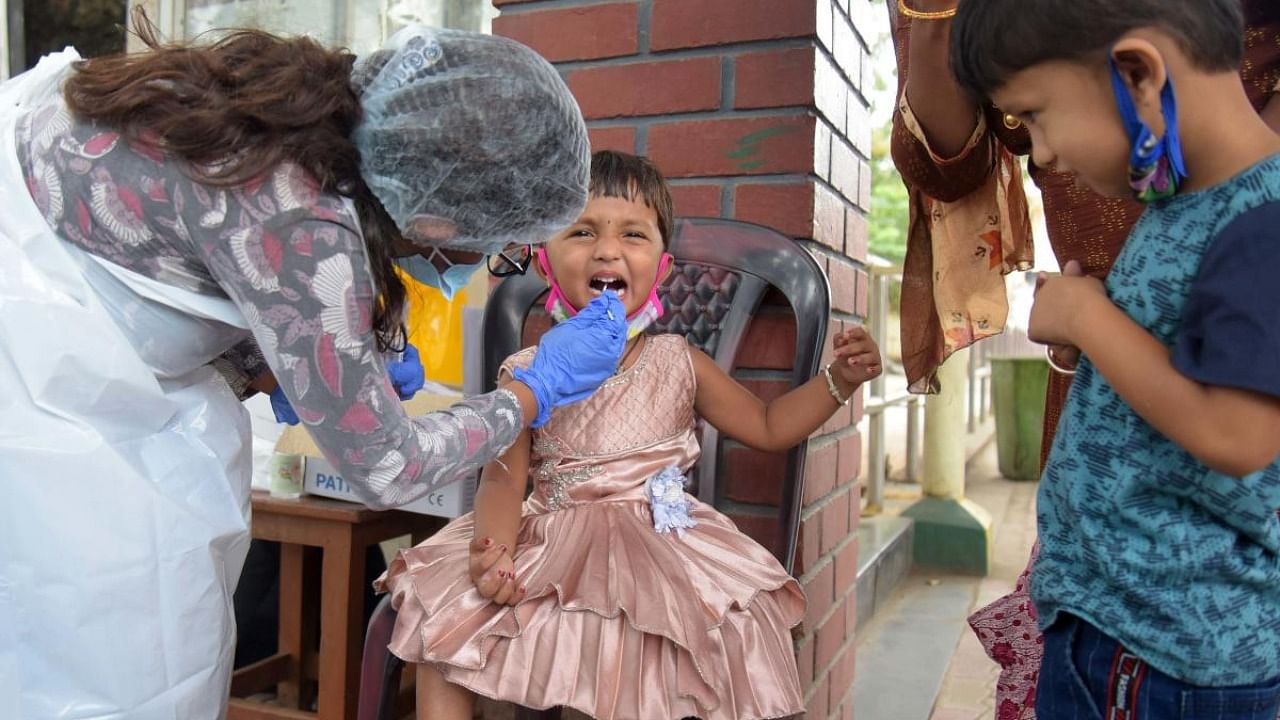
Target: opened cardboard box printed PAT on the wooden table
x,y
321,479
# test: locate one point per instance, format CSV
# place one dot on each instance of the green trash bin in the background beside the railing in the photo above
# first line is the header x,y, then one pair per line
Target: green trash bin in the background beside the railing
x,y
1018,394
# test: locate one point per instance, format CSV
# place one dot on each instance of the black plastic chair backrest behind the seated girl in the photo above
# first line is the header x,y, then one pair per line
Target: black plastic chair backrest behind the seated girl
x,y
724,270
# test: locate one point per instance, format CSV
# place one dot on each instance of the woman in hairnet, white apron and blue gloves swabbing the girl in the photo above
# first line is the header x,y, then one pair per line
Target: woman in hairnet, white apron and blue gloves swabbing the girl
x,y
240,204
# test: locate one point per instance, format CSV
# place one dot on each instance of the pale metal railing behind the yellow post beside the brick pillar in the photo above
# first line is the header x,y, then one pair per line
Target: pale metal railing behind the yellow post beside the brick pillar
x,y
879,400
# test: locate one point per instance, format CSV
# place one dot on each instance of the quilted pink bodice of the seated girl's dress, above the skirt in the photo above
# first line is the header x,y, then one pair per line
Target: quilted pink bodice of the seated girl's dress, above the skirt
x,y
634,426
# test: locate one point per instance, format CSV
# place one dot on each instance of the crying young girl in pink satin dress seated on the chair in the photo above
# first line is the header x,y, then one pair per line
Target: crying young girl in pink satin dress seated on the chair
x,y
611,591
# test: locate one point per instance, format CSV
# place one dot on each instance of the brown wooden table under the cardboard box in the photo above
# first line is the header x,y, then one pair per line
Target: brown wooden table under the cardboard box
x,y
342,531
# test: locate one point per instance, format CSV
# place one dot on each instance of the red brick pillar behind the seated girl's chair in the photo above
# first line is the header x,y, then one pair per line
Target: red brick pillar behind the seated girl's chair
x,y
753,110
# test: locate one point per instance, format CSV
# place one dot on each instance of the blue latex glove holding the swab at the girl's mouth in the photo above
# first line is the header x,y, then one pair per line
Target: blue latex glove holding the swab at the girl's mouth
x,y
577,356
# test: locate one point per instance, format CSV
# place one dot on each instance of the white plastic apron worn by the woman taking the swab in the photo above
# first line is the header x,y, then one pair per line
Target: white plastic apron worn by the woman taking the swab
x,y
125,471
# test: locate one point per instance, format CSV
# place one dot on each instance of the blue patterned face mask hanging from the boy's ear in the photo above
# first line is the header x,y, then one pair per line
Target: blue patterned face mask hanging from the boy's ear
x,y
1156,167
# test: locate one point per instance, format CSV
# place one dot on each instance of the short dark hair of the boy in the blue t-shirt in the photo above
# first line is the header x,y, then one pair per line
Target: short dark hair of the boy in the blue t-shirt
x,y
993,40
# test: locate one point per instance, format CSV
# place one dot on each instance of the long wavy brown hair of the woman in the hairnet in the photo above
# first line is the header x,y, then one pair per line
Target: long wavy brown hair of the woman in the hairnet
x,y
236,110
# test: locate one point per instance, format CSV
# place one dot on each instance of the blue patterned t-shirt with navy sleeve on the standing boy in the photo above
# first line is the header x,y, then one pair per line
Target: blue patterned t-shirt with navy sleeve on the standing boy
x,y
1178,563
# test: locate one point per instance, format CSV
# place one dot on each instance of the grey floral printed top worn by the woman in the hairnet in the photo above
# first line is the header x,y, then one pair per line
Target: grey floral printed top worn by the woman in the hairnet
x,y
294,261
